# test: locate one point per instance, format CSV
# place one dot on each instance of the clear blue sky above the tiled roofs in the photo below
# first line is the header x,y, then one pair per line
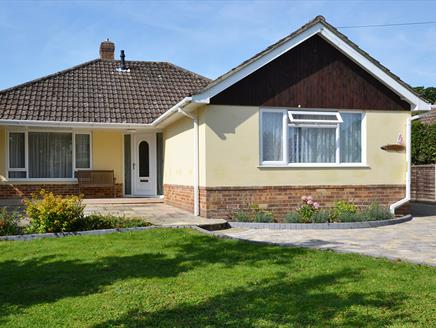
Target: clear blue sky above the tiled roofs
x,y
42,37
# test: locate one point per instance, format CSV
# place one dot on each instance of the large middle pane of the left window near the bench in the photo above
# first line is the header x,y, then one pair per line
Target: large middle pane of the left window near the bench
x,y
50,155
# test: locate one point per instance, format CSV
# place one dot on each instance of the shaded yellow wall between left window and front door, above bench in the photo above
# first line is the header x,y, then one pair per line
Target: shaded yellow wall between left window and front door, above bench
x,y
107,152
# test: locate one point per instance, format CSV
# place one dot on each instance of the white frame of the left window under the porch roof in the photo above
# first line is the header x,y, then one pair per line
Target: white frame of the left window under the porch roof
x,y
26,154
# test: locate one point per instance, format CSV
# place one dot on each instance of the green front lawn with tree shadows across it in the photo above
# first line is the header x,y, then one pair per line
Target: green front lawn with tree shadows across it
x,y
181,278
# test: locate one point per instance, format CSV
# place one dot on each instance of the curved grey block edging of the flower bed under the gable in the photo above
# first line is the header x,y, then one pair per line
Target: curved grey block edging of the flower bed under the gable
x,y
321,226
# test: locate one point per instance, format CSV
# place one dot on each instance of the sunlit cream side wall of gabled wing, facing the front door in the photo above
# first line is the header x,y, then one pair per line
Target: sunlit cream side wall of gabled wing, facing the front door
x,y
179,152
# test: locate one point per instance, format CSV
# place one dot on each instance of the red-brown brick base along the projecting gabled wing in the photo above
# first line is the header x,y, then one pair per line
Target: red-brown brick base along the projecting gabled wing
x,y
222,202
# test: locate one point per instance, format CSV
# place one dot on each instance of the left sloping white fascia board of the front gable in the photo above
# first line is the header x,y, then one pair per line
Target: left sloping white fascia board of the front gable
x,y
255,65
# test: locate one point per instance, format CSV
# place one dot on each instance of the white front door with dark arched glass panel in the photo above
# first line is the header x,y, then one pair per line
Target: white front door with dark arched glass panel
x,y
144,164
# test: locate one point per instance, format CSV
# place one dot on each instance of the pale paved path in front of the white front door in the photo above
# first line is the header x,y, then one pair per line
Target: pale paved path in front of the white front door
x,y
154,212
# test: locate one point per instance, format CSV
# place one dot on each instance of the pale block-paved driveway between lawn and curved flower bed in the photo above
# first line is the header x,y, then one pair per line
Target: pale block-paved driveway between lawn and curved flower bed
x,y
413,241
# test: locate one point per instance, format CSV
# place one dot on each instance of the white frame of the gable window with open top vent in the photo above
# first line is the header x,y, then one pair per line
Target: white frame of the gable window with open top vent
x,y
315,124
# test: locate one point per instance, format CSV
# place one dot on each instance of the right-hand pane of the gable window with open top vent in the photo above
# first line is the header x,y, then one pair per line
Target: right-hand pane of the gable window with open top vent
x,y
351,138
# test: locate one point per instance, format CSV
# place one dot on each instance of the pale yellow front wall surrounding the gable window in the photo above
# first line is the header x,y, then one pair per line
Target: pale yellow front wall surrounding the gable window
x,y
232,157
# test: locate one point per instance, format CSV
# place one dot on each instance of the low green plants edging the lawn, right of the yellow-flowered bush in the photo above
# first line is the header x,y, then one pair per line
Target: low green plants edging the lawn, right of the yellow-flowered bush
x,y
97,221
